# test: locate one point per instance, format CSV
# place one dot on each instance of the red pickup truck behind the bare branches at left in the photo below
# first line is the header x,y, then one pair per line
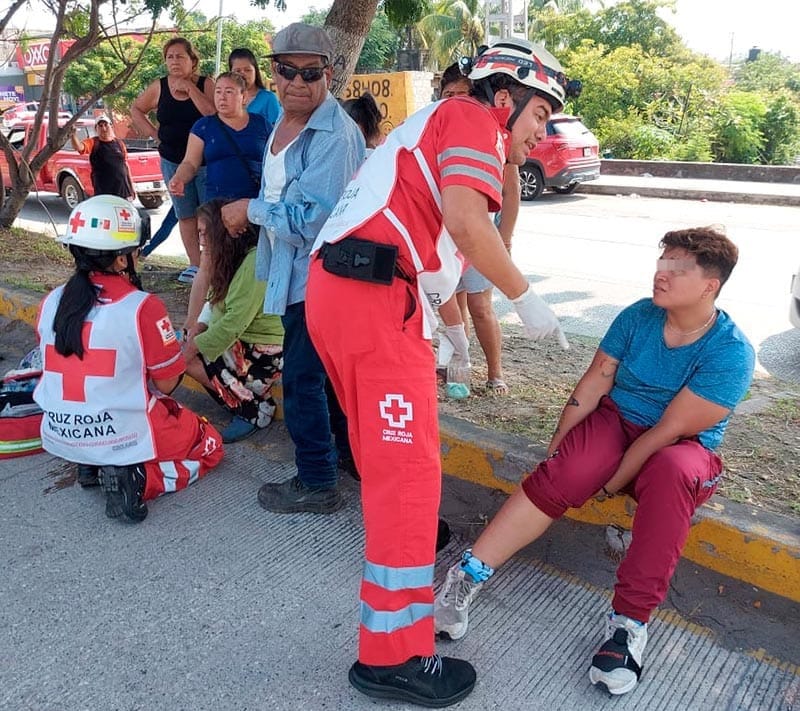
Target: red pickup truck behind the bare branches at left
x,y
68,173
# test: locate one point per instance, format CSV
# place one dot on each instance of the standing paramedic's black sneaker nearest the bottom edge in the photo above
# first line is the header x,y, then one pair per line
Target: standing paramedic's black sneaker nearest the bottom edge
x,y
433,682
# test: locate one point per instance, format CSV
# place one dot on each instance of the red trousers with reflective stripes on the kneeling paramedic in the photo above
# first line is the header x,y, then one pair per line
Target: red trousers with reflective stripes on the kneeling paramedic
x,y
187,448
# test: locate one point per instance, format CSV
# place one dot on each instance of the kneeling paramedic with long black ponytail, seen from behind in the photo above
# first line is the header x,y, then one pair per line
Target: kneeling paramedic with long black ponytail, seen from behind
x,y
110,359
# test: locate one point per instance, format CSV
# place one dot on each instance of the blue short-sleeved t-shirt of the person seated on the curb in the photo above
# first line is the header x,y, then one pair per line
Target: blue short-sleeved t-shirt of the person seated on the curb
x,y
717,367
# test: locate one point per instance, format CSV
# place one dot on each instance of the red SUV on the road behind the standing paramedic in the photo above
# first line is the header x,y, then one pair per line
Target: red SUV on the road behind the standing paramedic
x,y
568,155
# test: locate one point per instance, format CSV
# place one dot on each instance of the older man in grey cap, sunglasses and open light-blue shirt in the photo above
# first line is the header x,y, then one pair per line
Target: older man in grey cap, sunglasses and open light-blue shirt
x,y
312,153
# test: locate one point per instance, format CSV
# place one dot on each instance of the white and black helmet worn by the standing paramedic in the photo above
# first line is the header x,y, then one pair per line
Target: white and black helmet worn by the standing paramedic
x,y
527,63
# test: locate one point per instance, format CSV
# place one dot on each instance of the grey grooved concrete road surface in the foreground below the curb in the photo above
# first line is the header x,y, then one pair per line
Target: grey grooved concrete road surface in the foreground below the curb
x,y
212,603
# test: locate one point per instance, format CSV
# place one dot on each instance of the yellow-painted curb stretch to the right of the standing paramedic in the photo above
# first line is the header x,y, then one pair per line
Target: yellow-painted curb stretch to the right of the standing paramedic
x,y
719,540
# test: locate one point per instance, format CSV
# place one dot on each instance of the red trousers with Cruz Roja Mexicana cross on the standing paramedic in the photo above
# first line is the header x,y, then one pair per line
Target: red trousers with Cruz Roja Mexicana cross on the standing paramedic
x,y
369,337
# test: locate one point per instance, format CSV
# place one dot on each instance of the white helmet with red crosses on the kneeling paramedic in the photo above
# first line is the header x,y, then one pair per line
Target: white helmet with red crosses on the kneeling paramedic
x,y
104,223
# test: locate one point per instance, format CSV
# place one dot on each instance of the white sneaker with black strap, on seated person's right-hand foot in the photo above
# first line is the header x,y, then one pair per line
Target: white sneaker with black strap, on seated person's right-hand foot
x,y
618,663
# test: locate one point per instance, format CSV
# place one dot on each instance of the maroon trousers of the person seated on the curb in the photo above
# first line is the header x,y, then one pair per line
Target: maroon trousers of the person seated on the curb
x,y
669,487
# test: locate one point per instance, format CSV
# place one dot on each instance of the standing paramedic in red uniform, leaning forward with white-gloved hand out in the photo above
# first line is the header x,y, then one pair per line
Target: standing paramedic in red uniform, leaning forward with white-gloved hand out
x,y
388,248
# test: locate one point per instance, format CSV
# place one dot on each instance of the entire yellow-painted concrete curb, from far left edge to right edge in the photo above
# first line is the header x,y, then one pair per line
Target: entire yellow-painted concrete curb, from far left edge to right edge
x,y
739,541
